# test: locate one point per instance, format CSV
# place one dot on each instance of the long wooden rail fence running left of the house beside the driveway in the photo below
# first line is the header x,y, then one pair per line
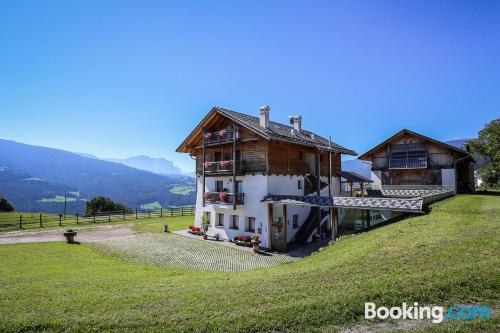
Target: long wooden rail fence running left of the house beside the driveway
x,y
21,220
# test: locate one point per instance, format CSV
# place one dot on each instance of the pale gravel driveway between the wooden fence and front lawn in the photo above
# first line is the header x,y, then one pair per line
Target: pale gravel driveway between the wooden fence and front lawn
x,y
84,235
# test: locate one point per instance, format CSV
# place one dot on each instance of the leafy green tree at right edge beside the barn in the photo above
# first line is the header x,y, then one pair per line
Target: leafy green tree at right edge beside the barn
x,y
488,144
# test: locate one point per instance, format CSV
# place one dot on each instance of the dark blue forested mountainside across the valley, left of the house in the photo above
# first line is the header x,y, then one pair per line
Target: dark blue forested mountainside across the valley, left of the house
x,y
57,172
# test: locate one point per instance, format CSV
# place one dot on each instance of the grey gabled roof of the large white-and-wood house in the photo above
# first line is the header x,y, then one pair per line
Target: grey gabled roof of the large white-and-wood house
x,y
275,131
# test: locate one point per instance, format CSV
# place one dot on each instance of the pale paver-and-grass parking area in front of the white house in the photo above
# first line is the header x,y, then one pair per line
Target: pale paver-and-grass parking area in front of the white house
x,y
176,251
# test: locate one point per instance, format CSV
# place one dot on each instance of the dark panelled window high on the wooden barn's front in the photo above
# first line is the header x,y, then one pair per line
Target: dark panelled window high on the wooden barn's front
x,y
408,156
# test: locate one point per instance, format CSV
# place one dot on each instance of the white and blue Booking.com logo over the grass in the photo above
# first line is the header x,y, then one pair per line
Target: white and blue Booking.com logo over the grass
x,y
435,313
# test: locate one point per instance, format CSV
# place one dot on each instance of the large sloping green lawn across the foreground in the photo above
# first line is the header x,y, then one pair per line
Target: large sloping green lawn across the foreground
x,y
449,257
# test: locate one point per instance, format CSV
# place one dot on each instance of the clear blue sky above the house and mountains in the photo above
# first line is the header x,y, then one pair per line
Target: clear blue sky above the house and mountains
x,y
122,78
